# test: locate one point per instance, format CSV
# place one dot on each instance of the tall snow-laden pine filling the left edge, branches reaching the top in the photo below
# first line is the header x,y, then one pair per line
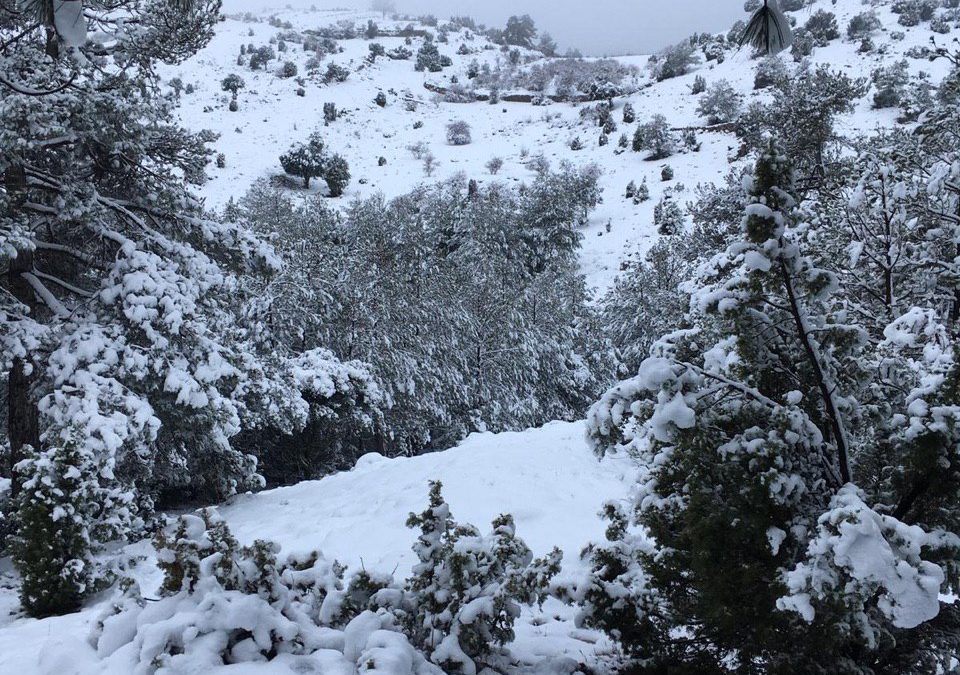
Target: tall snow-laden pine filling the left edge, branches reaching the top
x,y
120,335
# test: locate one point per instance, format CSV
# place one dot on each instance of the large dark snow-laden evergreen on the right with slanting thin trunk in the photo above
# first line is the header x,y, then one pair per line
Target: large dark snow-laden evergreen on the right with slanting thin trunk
x,y
776,427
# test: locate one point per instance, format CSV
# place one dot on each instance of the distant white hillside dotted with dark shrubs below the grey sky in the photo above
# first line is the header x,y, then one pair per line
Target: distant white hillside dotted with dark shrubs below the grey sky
x,y
271,116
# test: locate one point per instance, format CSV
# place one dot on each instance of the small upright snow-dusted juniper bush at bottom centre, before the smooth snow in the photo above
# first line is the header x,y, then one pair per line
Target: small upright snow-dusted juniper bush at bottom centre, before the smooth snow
x,y
467,589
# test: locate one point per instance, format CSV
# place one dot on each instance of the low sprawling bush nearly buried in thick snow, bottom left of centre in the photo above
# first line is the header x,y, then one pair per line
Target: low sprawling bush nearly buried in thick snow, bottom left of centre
x,y
225,604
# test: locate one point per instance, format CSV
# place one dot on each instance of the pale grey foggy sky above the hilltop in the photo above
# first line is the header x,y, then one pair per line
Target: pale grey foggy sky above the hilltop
x,y
595,27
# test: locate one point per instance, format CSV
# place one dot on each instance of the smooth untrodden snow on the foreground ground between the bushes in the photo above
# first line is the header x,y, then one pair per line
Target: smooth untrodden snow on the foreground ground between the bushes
x,y
547,478
